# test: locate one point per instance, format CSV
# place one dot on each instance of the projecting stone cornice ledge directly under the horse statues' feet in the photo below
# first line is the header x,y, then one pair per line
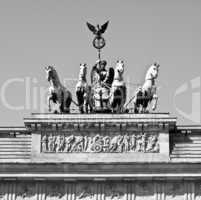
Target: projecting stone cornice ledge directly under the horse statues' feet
x,y
151,118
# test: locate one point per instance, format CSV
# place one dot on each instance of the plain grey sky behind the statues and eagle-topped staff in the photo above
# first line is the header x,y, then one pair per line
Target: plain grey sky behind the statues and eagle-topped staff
x,y
38,33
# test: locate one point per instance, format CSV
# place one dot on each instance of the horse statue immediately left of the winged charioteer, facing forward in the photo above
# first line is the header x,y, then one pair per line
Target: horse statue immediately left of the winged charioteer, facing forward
x,y
83,91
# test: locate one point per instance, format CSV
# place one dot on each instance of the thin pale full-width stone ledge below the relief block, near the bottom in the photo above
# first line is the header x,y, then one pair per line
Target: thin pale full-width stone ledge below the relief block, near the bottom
x,y
99,177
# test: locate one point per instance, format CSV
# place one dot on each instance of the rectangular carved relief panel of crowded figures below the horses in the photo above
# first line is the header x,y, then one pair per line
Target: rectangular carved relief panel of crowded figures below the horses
x,y
122,143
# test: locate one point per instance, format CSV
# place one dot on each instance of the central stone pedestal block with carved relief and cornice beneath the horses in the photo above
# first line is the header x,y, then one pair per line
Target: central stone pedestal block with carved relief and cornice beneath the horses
x,y
75,137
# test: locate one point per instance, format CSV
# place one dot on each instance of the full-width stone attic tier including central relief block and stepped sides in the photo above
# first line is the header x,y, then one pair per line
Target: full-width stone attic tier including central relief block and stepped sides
x,y
137,136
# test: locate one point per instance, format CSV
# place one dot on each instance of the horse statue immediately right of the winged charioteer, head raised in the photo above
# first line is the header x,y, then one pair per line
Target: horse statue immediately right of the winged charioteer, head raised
x,y
118,89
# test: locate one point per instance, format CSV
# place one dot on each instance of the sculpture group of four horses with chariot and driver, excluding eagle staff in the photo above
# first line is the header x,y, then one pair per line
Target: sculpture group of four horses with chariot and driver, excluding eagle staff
x,y
107,92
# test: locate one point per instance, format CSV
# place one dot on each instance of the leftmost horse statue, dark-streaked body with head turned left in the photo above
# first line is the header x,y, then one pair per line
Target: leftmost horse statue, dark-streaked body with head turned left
x,y
59,99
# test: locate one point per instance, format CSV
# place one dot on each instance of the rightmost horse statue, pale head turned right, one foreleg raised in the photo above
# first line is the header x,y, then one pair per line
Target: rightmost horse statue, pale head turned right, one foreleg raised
x,y
147,93
